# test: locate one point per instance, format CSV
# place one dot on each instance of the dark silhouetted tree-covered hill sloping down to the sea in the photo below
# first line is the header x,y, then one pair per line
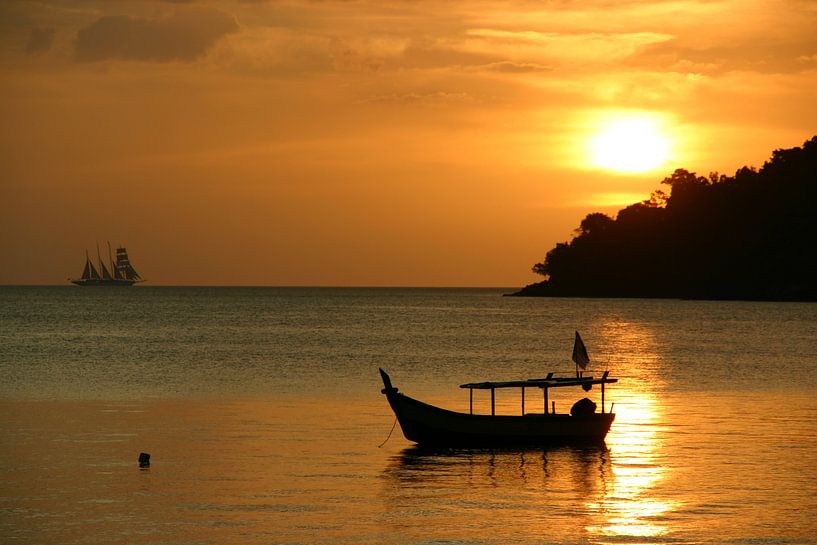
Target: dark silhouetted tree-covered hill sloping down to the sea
x,y
750,236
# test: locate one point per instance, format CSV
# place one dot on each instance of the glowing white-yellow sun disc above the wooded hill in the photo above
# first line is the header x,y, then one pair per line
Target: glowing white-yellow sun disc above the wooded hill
x,y
629,143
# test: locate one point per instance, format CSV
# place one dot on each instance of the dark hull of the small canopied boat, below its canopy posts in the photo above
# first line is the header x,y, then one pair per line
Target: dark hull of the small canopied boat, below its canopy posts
x,y
428,425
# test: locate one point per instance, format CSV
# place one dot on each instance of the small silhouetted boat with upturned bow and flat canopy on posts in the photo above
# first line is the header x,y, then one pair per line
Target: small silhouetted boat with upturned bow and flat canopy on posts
x,y
428,425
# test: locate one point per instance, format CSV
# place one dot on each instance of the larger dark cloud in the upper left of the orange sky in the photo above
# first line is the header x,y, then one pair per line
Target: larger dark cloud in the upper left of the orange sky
x,y
184,36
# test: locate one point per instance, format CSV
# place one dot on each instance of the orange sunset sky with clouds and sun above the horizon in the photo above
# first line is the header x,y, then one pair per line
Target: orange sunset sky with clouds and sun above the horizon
x,y
359,143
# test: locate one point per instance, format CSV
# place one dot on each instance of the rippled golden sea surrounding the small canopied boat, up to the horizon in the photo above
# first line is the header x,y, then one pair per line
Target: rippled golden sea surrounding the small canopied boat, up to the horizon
x,y
261,409
